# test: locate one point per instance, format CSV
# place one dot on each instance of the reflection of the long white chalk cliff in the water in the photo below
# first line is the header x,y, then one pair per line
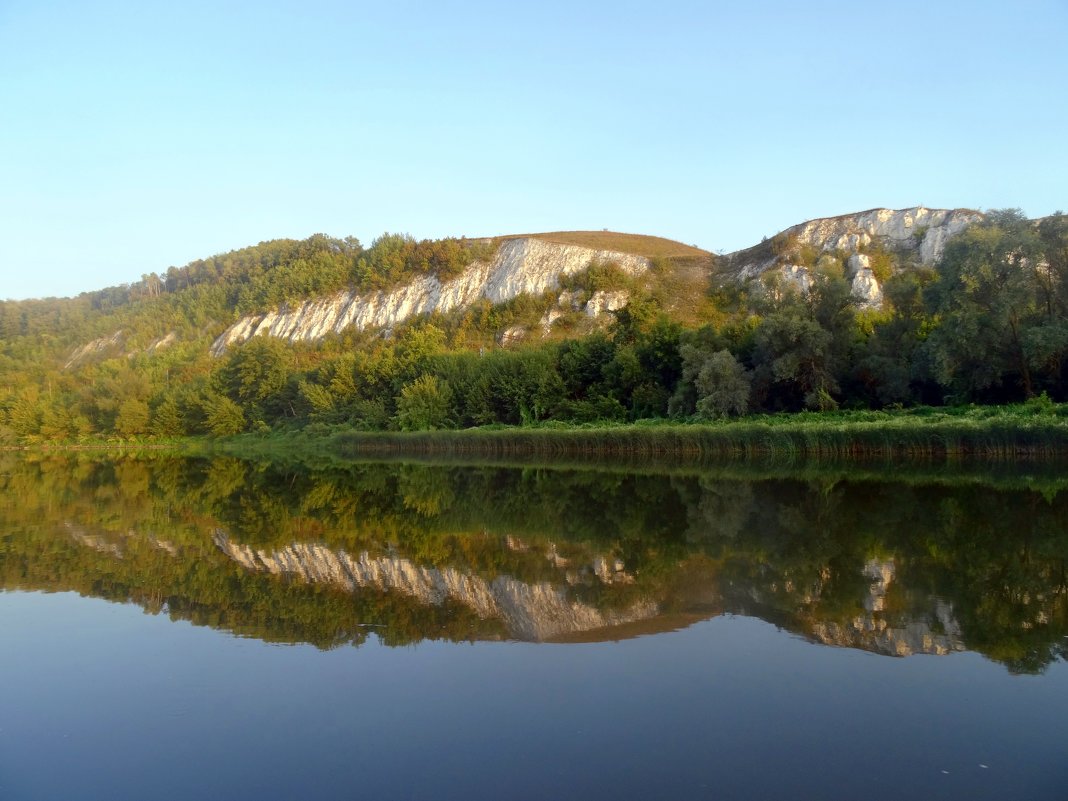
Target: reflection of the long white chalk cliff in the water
x,y
529,611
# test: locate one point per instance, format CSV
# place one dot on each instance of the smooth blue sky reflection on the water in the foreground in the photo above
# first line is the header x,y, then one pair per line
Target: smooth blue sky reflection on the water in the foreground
x,y
104,702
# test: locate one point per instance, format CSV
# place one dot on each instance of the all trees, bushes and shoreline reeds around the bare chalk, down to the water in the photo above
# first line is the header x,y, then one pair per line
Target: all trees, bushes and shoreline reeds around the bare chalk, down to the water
x,y
734,370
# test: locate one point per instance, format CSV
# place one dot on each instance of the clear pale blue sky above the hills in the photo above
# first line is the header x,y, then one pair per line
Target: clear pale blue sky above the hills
x,y
136,136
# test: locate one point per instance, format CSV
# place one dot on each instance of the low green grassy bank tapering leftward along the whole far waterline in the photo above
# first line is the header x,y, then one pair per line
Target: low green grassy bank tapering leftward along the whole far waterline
x,y
1034,431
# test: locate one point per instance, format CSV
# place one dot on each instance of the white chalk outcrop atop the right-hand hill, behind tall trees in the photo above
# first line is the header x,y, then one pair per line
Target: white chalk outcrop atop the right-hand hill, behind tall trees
x,y
919,232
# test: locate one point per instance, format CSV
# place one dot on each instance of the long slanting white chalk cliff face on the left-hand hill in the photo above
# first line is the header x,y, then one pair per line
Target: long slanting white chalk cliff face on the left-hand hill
x,y
521,266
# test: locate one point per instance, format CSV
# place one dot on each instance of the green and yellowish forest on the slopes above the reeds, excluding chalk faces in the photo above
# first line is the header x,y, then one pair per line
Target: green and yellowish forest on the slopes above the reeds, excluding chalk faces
x,y
987,325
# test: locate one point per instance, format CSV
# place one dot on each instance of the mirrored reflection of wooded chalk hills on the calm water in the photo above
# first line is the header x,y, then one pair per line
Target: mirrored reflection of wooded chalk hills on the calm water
x,y
290,554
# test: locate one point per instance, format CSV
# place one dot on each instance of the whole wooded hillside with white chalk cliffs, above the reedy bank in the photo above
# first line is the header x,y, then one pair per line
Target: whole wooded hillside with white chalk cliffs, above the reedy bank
x,y
867,310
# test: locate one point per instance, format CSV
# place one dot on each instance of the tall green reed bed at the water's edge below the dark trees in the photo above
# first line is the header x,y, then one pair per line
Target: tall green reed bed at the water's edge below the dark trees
x,y
830,437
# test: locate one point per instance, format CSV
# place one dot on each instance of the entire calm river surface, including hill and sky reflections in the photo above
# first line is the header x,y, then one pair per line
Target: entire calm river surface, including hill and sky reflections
x,y
414,632
